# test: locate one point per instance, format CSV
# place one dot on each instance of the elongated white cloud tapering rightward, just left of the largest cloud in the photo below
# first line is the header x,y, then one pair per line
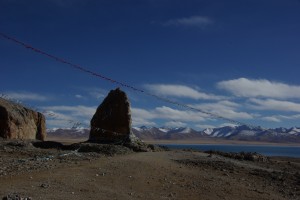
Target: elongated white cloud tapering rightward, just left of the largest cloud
x,y
181,91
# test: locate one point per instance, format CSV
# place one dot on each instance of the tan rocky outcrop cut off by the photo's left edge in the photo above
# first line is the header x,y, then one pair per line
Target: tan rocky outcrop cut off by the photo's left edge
x,y
18,122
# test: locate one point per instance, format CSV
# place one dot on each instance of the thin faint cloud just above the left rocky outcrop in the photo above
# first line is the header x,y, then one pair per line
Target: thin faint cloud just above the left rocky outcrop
x,y
25,96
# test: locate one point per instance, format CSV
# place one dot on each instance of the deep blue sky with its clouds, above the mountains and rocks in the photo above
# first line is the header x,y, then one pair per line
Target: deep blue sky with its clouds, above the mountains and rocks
x,y
237,59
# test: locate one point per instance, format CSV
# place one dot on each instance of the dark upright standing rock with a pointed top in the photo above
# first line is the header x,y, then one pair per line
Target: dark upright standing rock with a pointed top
x,y
112,121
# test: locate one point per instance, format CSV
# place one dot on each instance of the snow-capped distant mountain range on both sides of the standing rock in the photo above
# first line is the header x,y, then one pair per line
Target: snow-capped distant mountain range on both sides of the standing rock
x,y
242,133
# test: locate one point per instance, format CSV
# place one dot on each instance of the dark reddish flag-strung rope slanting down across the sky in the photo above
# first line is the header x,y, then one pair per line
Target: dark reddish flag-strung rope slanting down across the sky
x,y
121,84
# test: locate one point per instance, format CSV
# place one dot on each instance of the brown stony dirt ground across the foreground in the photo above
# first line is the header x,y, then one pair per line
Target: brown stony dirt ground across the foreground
x,y
54,174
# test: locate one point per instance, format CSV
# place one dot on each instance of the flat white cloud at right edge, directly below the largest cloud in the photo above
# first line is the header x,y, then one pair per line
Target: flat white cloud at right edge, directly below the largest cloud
x,y
272,104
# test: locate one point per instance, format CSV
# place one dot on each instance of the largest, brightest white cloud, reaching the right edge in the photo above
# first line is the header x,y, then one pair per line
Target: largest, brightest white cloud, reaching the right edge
x,y
244,87
